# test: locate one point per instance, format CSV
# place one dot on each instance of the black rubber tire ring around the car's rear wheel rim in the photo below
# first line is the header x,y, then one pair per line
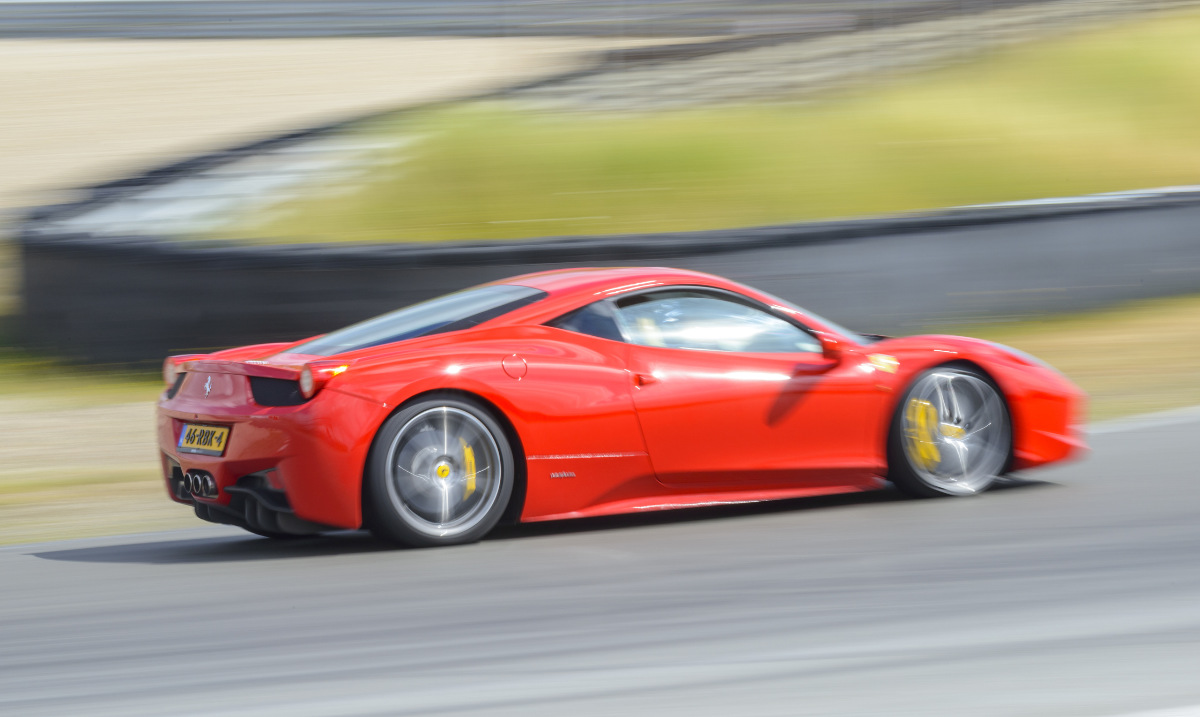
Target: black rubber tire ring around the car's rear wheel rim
x,y
379,511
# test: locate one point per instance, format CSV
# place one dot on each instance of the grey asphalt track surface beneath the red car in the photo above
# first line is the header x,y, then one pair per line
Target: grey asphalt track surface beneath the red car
x,y
1077,593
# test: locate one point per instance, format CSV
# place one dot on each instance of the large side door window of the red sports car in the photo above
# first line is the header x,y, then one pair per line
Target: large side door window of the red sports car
x,y
691,320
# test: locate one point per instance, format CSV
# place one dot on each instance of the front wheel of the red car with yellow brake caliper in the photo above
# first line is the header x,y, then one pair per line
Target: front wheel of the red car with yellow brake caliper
x,y
951,436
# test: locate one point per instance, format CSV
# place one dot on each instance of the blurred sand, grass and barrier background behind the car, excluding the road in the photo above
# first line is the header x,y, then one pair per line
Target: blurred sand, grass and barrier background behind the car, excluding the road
x,y
266,125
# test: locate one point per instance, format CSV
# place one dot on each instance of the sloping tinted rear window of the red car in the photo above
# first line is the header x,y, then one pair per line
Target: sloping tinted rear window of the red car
x,y
452,312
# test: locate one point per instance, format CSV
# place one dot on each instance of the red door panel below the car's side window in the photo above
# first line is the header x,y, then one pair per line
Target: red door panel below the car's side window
x,y
713,418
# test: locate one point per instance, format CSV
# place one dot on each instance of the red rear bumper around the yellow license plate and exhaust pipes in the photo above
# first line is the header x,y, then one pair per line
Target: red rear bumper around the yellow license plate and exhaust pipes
x,y
302,463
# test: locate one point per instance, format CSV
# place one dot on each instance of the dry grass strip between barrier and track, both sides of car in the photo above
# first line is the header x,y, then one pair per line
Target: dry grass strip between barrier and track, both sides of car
x,y
80,457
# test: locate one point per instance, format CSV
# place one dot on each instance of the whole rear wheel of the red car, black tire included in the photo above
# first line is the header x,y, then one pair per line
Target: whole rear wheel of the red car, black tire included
x,y
424,486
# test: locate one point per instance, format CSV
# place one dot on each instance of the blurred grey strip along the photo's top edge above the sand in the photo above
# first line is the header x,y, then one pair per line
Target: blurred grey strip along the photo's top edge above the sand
x,y
305,19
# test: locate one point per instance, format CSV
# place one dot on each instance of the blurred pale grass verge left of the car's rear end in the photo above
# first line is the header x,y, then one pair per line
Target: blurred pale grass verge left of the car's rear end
x,y
79,456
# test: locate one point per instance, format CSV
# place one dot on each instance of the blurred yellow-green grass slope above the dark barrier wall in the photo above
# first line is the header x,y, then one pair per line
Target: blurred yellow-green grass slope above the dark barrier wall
x,y
1102,111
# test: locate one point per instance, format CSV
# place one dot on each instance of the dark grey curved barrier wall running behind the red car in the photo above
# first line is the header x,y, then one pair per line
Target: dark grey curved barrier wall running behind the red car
x,y
137,299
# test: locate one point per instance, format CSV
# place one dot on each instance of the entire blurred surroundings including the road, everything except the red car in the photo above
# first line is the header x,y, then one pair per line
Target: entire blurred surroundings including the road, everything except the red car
x,y
194,174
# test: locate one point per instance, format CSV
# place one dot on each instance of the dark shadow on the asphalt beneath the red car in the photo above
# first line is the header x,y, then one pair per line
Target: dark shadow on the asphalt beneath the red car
x,y
233,549
